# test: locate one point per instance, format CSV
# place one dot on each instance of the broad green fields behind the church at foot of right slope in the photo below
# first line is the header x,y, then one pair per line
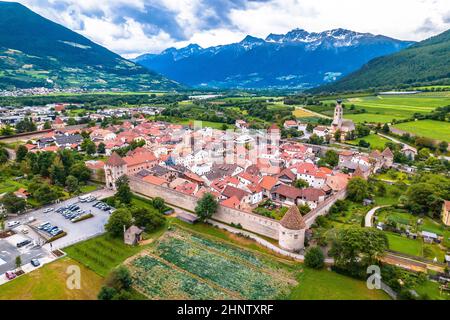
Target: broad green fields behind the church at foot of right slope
x,y
386,108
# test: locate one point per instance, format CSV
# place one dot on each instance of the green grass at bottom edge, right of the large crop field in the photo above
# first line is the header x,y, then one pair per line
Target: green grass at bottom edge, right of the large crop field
x,y
328,285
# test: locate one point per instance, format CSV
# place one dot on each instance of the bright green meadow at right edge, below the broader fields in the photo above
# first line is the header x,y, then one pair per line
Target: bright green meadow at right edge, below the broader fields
x,y
438,130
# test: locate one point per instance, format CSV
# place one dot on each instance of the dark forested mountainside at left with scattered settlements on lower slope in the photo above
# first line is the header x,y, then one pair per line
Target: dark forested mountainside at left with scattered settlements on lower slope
x,y
36,52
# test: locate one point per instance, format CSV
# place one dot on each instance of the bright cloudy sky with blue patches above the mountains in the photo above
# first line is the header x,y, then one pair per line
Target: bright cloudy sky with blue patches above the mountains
x,y
132,27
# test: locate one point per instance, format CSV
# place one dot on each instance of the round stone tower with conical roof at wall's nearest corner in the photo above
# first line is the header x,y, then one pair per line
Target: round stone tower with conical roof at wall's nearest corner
x,y
292,230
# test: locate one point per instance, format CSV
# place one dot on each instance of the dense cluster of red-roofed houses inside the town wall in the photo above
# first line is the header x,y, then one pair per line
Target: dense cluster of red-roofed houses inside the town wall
x,y
240,169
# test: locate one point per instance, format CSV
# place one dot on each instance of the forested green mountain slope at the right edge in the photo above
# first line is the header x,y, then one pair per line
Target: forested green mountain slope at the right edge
x,y
427,62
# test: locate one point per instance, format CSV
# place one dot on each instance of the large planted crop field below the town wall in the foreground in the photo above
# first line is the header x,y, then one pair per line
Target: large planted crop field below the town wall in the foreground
x,y
186,266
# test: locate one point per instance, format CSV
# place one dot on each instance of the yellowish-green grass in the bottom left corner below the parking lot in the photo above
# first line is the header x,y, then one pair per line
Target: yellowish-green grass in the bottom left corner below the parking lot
x,y
49,283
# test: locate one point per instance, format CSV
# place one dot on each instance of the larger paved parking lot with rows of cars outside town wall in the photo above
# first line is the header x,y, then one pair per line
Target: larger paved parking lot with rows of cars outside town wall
x,y
75,231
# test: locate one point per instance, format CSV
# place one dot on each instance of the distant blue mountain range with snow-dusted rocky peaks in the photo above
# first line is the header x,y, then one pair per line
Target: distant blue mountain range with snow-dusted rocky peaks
x,y
297,59
